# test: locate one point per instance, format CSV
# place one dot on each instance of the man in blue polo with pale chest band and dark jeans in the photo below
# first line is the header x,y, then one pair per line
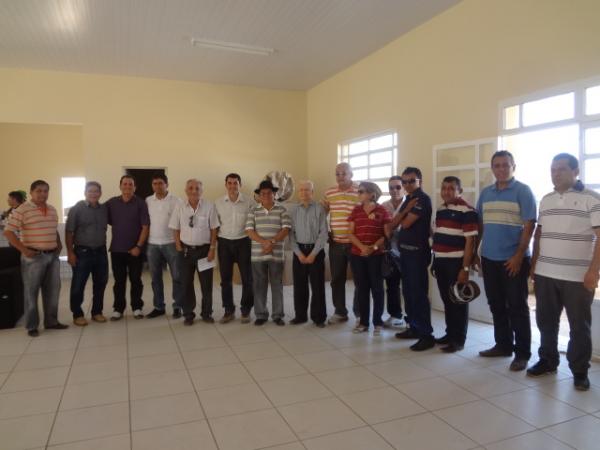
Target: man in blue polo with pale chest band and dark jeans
x,y
507,213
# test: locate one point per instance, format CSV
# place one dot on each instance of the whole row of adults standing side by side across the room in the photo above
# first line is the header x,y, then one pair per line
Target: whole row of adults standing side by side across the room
x,y
386,245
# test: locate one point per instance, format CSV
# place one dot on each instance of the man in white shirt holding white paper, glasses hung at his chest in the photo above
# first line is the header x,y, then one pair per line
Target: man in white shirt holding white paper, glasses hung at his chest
x,y
195,224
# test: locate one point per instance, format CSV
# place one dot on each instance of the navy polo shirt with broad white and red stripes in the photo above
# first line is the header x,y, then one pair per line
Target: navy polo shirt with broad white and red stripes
x,y
454,222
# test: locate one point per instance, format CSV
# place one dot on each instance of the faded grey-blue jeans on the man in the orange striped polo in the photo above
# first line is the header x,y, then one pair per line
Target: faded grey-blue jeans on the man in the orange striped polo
x,y
41,272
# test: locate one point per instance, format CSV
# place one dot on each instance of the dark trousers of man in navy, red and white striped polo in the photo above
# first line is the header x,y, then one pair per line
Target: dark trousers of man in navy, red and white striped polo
x,y
457,316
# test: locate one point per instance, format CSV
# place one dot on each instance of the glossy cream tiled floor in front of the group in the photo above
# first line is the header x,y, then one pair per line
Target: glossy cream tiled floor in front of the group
x,y
155,384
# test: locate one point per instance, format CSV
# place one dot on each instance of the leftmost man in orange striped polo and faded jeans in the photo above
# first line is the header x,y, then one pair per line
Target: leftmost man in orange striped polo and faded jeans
x,y
39,243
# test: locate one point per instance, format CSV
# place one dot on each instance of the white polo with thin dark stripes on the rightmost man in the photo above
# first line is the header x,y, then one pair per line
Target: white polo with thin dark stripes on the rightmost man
x,y
567,240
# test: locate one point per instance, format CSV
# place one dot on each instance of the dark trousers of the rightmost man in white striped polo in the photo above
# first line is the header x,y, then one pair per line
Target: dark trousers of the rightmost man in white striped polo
x,y
551,296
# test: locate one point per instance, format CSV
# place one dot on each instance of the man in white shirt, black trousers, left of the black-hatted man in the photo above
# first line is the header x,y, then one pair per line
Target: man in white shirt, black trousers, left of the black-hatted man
x,y
234,247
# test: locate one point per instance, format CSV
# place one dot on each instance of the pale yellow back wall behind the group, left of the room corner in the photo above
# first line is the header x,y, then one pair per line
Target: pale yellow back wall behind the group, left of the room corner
x,y
195,129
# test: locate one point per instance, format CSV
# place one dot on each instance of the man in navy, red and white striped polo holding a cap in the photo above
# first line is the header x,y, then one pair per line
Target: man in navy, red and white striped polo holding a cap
x,y
456,227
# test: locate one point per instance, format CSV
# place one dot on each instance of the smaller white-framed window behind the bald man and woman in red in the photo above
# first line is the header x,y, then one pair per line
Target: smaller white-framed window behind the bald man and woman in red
x,y
372,158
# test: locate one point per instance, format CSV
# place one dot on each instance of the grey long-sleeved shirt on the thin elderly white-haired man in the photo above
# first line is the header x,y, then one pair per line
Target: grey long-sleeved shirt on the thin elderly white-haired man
x,y
309,226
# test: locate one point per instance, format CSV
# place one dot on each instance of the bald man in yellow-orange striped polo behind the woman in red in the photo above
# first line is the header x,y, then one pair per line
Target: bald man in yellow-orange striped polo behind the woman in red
x,y
339,201
